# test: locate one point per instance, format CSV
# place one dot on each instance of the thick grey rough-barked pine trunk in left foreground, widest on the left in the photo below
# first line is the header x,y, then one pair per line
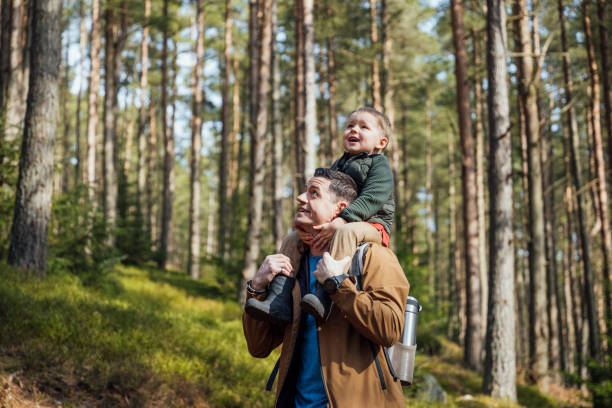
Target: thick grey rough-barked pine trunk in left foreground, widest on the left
x,y
28,248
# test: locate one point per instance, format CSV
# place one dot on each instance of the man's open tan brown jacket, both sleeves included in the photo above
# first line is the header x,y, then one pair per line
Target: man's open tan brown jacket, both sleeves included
x,y
349,371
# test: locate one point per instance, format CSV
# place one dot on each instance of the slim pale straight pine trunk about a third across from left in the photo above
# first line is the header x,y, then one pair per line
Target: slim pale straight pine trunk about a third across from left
x,y
193,262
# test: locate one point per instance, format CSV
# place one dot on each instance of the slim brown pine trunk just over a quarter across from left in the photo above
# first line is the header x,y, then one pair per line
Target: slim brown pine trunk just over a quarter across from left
x,y
168,186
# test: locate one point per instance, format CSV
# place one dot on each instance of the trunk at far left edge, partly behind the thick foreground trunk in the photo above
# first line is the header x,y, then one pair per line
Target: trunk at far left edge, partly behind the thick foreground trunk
x,y
19,66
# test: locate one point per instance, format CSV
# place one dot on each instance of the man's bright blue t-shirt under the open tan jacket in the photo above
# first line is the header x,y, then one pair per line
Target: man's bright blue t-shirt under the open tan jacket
x,y
310,390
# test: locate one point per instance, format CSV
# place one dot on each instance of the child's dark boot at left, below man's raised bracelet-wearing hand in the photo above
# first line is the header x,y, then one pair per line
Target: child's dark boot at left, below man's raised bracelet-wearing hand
x,y
277,307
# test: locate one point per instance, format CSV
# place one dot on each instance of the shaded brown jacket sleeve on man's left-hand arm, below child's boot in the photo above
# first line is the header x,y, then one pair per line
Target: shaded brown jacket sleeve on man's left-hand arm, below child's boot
x,y
261,337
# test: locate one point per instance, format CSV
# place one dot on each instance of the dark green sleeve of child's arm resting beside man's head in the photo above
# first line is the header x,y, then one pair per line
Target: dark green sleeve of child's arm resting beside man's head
x,y
376,190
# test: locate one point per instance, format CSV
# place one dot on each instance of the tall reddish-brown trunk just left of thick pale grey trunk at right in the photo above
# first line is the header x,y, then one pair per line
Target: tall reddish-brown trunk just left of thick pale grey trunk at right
x,y
473,335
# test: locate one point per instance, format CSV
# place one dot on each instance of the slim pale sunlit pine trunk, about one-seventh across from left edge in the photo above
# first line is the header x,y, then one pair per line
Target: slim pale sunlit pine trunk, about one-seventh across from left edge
x,y
92,103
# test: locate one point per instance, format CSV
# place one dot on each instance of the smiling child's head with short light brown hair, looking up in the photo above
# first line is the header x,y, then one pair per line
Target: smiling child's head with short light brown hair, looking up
x,y
363,134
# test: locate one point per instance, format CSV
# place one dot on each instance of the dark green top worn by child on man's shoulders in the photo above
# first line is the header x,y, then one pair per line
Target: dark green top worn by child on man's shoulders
x,y
374,179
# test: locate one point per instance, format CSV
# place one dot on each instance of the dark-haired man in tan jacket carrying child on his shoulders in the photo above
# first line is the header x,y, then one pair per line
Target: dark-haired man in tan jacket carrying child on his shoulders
x,y
339,362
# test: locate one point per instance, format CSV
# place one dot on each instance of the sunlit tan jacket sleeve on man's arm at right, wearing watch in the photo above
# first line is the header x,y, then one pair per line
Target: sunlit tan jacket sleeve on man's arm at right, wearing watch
x,y
377,312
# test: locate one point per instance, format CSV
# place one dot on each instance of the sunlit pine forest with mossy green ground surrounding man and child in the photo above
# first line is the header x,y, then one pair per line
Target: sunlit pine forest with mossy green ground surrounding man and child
x,y
151,153
